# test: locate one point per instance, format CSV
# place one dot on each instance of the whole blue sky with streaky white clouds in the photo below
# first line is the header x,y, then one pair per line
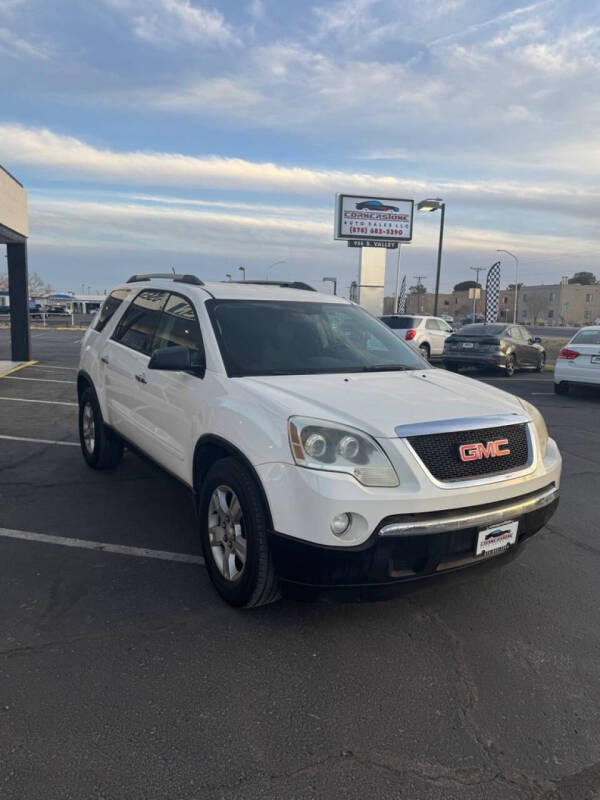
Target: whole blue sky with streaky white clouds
x,y
202,136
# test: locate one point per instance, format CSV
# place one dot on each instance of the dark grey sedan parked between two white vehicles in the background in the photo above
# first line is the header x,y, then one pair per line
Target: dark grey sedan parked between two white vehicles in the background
x,y
509,347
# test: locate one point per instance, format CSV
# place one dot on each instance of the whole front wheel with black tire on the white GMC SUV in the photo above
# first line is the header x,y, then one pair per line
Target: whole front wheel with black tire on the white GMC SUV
x,y
234,533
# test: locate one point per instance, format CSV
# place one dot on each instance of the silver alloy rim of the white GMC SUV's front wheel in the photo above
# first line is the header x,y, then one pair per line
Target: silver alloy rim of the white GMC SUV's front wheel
x,y
226,531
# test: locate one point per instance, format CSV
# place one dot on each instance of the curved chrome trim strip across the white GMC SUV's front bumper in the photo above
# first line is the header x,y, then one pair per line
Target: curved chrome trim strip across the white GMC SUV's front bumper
x,y
418,524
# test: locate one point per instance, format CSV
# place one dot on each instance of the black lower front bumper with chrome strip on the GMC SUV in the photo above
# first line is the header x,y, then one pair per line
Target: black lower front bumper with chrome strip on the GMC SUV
x,y
411,546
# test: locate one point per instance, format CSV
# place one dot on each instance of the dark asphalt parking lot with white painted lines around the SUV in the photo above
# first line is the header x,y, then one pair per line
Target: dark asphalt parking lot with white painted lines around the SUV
x,y
123,675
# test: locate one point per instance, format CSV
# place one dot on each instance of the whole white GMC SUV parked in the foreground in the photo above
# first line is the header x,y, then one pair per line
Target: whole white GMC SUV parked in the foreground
x,y
320,447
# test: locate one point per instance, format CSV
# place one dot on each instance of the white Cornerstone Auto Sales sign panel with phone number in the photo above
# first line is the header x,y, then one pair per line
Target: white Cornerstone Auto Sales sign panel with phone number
x,y
373,219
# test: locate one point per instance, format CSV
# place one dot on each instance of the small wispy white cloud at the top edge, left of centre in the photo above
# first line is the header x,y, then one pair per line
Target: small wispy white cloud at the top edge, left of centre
x,y
167,23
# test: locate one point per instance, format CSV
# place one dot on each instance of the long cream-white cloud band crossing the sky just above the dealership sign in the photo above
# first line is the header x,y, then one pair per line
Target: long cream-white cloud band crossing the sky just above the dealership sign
x,y
52,153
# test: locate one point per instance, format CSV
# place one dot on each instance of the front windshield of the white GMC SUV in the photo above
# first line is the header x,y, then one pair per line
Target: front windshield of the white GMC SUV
x,y
265,337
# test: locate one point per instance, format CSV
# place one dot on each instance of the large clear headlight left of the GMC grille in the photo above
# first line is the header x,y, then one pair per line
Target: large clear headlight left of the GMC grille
x,y
317,444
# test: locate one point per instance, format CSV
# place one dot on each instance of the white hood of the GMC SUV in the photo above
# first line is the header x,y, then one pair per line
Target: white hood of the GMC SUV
x,y
379,402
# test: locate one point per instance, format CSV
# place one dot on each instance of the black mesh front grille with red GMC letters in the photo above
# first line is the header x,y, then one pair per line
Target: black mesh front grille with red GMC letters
x,y
440,452
